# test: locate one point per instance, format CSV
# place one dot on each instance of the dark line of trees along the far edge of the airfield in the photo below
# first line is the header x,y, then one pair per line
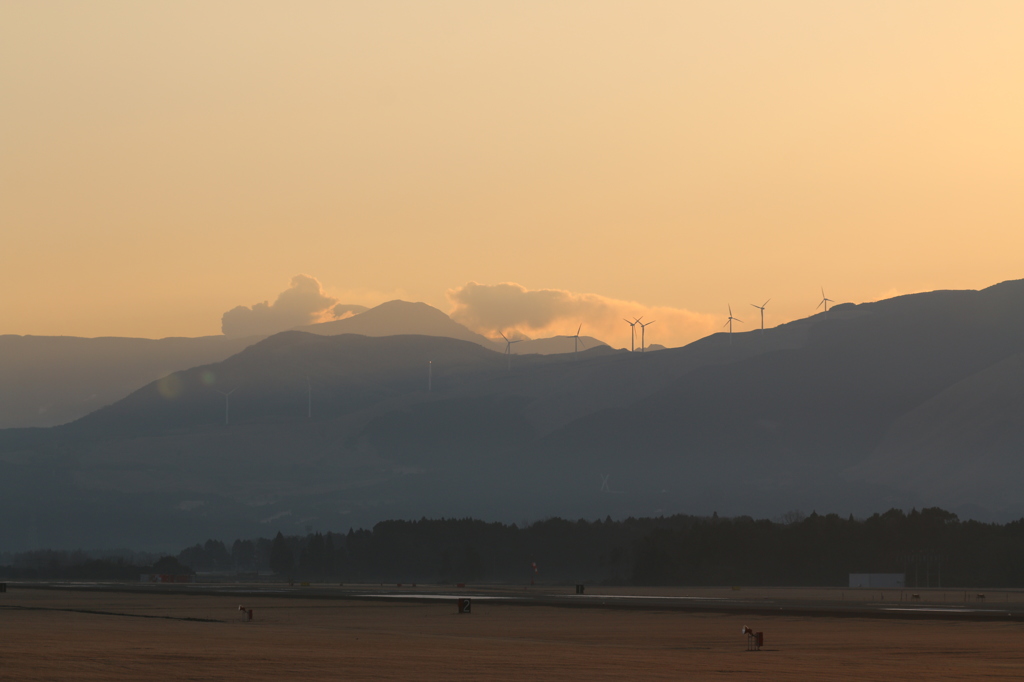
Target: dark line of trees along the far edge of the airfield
x,y
933,547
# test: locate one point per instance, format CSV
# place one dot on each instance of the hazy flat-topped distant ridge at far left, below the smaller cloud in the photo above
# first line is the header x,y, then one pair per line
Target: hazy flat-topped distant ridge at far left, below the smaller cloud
x,y
51,380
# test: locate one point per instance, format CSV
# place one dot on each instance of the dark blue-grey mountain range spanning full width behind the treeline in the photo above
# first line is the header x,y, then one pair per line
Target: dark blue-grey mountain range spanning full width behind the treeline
x,y
917,401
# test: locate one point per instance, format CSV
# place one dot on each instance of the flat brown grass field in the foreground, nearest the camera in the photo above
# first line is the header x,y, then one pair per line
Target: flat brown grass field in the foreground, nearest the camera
x,y
77,635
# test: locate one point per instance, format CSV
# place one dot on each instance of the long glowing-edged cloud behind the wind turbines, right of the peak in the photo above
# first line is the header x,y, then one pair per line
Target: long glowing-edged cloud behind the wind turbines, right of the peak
x,y
511,308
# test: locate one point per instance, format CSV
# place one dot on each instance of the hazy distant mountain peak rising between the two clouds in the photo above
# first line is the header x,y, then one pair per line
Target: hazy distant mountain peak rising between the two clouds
x,y
397,318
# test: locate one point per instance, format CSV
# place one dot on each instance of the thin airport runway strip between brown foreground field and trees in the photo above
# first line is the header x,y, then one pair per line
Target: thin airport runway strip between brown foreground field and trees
x,y
755,602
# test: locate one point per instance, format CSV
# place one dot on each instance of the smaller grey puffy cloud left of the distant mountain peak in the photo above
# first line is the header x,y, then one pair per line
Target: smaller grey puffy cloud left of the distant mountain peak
x,y
303,304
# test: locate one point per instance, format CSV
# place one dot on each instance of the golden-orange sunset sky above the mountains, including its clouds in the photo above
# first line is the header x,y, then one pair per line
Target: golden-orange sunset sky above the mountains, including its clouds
x,y
525,166
